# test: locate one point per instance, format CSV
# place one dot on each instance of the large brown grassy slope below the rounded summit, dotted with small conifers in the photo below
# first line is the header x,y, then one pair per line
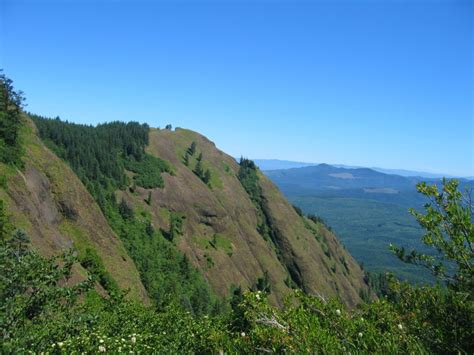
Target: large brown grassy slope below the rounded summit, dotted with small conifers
x,y
220,226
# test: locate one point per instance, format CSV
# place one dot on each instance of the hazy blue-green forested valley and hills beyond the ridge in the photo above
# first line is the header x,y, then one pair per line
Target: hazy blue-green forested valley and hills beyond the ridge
x,y
368,209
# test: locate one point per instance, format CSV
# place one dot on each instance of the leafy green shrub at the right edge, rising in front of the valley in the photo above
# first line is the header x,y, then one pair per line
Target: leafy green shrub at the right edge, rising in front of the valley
x,y
442,317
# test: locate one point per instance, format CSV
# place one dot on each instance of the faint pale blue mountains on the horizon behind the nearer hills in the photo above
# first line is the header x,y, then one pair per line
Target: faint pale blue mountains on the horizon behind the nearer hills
x,y
276,164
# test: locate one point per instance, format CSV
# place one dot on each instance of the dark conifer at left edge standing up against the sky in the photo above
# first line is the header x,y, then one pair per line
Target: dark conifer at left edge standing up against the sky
x,y
10,122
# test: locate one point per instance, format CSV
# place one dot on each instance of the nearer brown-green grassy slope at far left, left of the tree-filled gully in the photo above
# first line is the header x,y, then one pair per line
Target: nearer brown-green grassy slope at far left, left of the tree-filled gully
x,y
50,203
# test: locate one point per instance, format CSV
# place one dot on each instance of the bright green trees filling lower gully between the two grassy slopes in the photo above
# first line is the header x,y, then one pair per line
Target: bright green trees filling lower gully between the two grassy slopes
x,y
165,272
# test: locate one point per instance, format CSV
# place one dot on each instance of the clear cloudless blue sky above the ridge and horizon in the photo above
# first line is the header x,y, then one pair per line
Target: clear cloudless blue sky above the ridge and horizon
x,y
371,83
